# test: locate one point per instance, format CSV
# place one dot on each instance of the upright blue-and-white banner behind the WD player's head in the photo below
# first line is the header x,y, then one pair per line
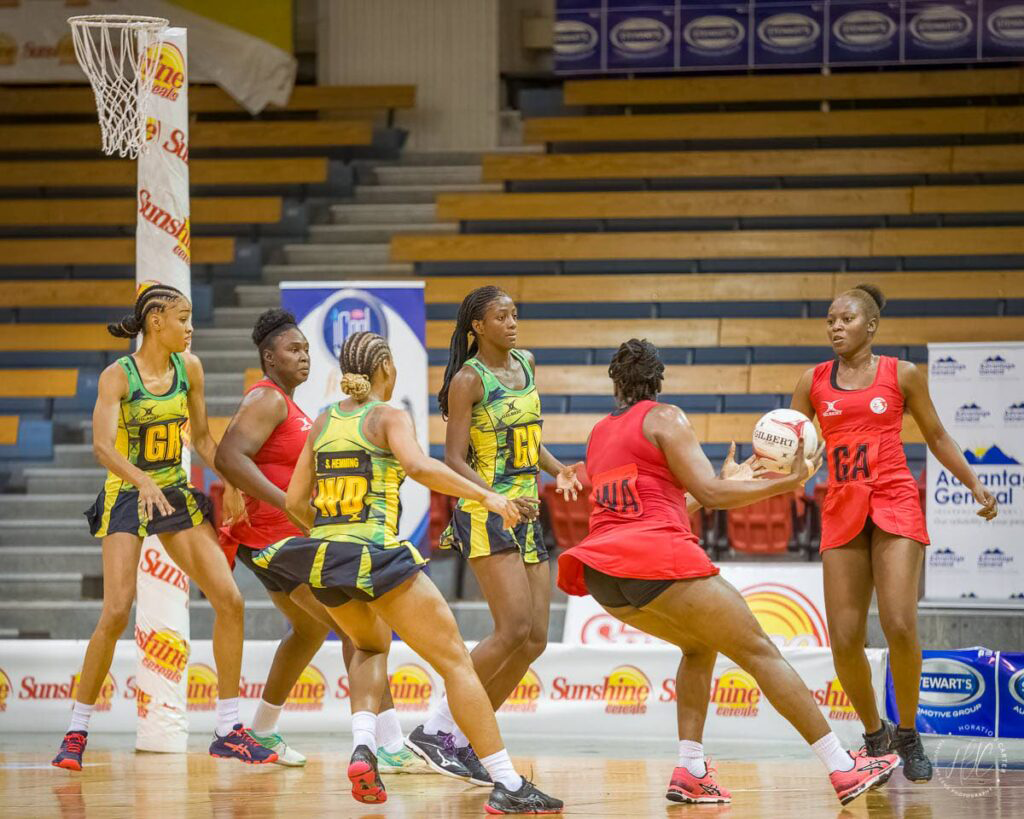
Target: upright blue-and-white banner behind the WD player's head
x,y
328,314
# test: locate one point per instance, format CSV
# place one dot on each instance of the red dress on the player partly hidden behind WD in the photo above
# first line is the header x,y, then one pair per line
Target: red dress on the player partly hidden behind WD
x,y
276,460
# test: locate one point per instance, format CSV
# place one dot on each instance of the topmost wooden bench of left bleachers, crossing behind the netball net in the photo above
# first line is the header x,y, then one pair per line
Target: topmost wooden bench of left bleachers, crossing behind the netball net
x,y
214,100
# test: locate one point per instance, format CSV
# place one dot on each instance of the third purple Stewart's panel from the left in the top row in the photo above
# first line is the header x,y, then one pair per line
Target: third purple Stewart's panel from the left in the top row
x,y
714,36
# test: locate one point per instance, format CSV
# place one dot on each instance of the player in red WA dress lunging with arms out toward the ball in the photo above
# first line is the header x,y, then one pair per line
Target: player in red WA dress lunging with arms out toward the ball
x,y
643,564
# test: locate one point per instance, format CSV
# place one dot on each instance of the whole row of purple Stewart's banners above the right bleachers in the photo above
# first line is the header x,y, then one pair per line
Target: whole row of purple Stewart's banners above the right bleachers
x,y
636,36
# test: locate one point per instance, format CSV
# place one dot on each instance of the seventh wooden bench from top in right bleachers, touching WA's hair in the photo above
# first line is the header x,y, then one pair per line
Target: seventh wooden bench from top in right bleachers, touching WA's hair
x,y
610,333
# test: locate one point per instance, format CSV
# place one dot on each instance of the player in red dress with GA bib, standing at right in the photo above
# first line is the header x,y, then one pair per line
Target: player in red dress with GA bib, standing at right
x,y
873,527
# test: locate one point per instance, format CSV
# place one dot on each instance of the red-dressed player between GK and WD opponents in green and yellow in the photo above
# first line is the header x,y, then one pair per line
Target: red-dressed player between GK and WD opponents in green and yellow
x,y
260,451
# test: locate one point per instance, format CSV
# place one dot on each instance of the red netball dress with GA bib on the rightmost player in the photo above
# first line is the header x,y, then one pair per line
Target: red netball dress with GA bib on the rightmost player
x,y
868,471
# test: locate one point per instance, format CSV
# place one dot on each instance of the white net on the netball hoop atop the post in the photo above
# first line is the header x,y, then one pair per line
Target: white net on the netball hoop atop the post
x,y
120,56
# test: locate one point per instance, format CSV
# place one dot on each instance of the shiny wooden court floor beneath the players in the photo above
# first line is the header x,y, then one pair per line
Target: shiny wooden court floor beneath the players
x,y
595,779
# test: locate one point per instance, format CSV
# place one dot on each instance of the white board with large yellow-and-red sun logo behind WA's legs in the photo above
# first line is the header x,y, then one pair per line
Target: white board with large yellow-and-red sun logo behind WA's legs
x,y
787,599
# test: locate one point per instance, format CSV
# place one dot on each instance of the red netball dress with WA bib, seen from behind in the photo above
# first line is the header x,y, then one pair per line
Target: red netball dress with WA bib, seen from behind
x,y
638,523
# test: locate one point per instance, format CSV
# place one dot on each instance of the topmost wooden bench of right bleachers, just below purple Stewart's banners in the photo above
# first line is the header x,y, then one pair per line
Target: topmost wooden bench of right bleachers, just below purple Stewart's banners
x,y
795,88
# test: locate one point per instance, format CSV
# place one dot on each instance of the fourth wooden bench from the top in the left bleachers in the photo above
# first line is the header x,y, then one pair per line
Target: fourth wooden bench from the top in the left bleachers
x,y
122,211
